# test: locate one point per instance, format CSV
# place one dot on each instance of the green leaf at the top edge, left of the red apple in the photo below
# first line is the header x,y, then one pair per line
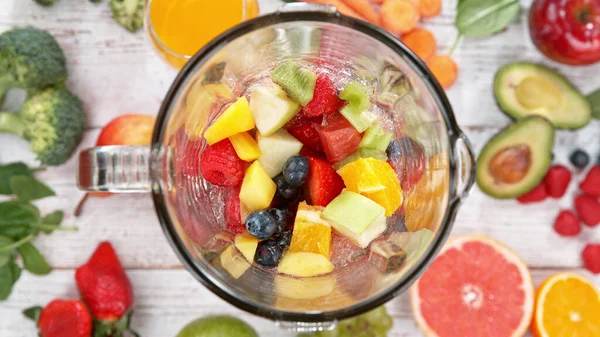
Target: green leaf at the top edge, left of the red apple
x,y
481,18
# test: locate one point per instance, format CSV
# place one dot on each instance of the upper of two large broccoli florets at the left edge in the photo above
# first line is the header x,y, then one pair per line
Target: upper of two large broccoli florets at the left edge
x,y
30,58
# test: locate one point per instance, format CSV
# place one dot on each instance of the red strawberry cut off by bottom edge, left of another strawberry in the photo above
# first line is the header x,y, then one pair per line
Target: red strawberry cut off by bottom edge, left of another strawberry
x,y
65,318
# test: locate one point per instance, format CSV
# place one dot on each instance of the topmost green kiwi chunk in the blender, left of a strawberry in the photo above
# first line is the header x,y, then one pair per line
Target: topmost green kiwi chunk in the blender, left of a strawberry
x,y
297,81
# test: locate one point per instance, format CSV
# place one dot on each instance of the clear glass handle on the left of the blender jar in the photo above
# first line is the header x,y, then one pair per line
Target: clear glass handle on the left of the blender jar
x,y
116,169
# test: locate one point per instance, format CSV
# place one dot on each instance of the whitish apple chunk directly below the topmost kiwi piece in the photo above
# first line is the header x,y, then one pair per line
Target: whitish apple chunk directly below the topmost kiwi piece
x,y
272,108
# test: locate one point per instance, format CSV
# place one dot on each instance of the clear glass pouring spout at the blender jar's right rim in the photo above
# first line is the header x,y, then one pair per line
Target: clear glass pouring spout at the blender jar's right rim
x,y
466,167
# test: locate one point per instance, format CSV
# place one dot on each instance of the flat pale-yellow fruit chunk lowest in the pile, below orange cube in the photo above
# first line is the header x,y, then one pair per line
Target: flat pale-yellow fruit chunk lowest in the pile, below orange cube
x,y
304,264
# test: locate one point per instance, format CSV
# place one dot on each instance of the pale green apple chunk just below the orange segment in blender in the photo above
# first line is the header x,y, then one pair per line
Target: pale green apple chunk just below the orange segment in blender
x,y
357,217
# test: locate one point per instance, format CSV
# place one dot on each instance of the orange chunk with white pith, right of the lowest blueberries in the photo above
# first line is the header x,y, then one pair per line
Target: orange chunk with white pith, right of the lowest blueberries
x,y
311,233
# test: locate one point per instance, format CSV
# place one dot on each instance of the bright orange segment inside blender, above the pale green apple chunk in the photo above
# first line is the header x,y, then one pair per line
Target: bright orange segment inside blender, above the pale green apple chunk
x,y
376,180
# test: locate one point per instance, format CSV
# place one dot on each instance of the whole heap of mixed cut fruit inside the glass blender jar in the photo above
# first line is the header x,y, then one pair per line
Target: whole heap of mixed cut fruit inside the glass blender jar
x,y
312,181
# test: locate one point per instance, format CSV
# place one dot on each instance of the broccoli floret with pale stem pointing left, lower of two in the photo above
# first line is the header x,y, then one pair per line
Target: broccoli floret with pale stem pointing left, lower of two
x,y
52,120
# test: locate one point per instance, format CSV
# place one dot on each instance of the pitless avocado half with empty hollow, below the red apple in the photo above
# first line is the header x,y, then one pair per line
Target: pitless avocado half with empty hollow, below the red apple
x,y
524,89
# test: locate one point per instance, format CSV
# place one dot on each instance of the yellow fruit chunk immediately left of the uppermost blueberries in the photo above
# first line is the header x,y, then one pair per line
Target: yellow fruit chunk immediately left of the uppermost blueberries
x,y
258,189
